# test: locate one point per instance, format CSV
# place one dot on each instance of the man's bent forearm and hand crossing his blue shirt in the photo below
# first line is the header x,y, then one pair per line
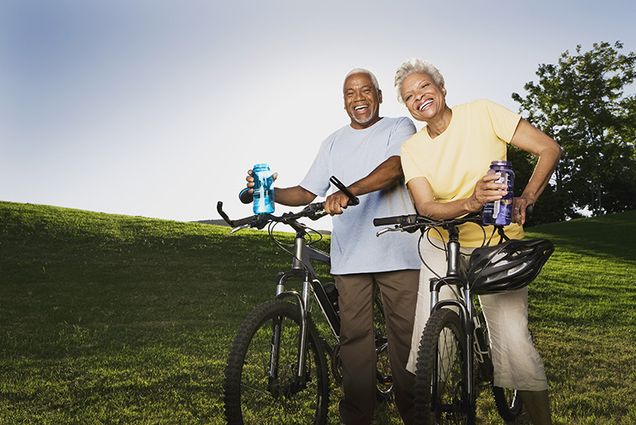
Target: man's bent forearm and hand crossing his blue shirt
x,y
384,176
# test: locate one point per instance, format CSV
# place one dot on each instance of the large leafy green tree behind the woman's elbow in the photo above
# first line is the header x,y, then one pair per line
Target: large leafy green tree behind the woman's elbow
x,y
581,103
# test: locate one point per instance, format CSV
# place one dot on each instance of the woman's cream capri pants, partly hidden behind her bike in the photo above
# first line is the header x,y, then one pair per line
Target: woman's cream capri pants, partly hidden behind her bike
x,y
517,364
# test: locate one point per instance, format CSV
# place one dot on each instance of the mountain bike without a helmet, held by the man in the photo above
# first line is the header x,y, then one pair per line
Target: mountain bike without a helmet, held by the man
x,y
277,370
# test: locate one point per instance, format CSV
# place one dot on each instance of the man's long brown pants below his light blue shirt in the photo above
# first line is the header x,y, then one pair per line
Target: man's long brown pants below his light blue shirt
x,y
357,346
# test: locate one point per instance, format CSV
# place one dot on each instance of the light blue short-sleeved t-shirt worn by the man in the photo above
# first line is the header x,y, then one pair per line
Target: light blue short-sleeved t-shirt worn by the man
x,y
351,155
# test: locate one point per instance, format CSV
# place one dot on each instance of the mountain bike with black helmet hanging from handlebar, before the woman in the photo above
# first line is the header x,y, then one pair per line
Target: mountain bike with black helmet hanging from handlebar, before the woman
x,y
454,358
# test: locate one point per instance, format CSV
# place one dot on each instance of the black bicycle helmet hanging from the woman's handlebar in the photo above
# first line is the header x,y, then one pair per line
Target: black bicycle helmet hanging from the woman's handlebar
x,y
507,266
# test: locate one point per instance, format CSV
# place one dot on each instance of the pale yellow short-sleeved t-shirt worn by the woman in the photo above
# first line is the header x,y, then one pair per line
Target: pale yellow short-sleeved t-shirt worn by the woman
x,y
455,160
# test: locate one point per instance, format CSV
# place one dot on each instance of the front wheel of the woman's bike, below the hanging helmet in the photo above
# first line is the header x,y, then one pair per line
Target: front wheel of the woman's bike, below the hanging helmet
x,y
440,383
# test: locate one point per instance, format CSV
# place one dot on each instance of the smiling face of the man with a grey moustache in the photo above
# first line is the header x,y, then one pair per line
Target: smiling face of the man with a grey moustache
x,y
362,100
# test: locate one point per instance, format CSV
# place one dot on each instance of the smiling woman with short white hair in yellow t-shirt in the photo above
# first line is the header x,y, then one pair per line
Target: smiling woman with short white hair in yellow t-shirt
x,y
445,165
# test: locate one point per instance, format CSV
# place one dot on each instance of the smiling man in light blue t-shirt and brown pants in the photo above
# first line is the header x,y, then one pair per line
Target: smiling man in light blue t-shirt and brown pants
x,y
365,153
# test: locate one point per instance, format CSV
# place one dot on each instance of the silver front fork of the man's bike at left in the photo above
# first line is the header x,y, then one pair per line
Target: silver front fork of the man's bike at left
x,y
302,302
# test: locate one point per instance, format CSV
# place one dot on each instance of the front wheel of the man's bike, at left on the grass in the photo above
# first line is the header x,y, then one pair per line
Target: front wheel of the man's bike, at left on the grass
x,y
261,384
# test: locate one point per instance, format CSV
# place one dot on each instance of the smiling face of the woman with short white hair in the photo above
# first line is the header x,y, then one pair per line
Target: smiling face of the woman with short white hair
x,y
424,99
